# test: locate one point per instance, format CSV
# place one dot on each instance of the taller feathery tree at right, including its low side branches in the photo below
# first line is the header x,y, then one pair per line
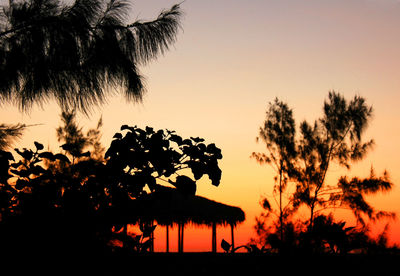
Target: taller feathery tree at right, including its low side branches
x,y
336,137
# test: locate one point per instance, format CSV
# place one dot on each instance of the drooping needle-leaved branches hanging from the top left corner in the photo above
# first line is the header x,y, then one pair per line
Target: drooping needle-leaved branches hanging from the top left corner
x,y
78,53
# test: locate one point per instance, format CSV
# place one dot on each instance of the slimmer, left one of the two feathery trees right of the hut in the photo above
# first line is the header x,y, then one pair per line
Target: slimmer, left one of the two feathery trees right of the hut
x,y
278,135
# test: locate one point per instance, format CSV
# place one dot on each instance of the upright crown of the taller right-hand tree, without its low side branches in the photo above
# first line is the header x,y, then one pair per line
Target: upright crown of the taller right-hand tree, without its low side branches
x,y
336,137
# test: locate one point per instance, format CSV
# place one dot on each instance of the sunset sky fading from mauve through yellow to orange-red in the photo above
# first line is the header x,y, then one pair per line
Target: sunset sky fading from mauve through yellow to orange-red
x,y
230,60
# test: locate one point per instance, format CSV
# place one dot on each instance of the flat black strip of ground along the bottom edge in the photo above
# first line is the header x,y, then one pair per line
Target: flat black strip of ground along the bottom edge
x,y
213,264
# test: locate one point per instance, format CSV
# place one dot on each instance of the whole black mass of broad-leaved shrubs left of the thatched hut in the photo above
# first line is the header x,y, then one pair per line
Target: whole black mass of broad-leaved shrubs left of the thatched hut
x,y
80,207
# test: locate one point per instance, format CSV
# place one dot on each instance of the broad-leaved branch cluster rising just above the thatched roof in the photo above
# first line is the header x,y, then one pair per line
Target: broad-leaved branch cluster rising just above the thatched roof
x,y
142,156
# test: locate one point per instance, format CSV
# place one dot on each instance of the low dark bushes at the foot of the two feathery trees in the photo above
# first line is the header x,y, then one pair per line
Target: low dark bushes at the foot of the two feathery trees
x,y
326,237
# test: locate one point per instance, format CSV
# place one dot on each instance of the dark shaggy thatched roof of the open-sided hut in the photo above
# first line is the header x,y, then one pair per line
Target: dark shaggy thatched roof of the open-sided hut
x,y
168,206
